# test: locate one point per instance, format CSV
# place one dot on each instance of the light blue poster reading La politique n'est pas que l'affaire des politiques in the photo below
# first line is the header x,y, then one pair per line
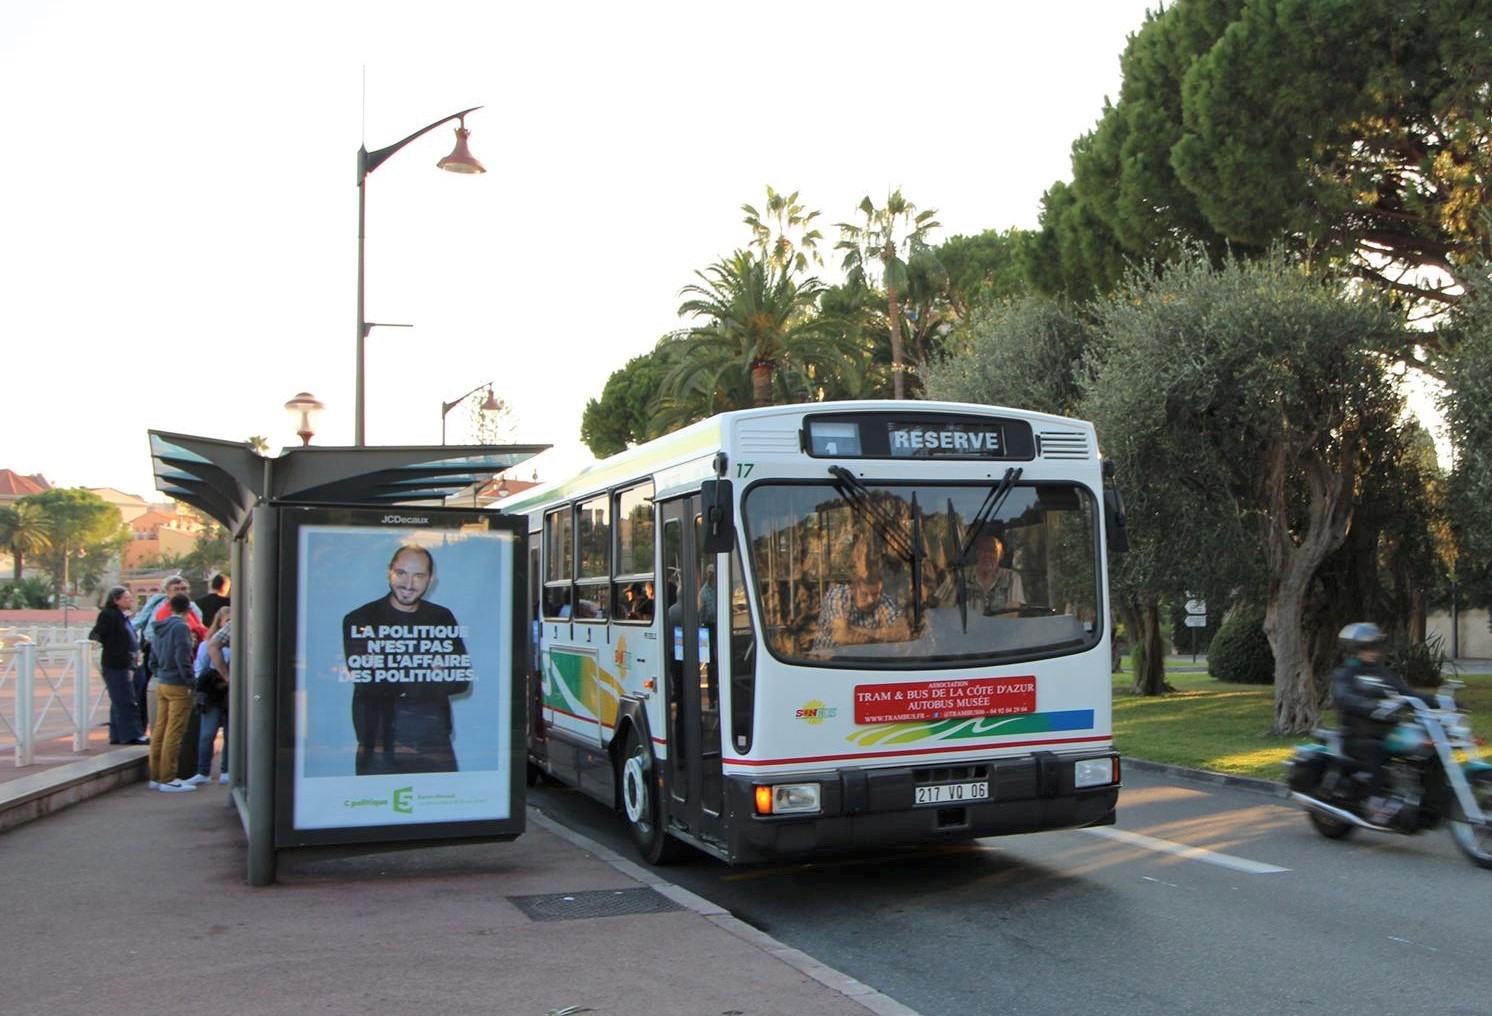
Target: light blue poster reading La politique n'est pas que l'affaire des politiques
x,y
404,689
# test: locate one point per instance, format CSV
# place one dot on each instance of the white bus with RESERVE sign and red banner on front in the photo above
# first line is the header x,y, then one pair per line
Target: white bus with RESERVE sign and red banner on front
x,y
811,629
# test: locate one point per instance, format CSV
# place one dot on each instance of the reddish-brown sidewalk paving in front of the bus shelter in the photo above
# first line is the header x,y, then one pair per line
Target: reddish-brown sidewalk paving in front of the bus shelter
x,y
137,903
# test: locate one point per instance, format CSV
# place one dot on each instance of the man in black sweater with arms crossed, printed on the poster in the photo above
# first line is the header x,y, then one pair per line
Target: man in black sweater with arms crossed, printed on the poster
x,y
407,659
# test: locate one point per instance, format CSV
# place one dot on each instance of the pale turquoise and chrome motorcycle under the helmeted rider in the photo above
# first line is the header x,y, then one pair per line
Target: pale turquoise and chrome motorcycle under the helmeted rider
x,y
1433,777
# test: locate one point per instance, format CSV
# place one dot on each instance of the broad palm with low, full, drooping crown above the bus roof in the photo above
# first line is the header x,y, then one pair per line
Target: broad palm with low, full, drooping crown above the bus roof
x,y
760,323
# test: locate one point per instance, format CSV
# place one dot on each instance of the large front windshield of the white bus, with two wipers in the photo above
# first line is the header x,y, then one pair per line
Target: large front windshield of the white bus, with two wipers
x,y
906,575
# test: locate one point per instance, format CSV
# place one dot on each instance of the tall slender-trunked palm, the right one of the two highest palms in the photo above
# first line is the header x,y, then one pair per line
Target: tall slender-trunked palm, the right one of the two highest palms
x,y
891,239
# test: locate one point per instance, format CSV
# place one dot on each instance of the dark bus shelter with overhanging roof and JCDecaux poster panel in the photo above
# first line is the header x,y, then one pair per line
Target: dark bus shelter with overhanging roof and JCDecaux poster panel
x,y
377,641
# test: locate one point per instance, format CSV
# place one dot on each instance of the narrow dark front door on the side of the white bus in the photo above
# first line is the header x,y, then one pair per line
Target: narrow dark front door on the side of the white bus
x,y
695,687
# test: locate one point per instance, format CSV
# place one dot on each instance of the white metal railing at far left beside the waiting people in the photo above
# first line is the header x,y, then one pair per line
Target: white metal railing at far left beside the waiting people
x,y
48,692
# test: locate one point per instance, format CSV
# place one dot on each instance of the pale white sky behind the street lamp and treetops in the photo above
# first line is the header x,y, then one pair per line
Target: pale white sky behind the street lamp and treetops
x,y
178,193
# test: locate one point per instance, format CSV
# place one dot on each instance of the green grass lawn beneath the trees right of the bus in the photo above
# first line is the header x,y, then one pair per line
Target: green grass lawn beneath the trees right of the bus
x,y
1224,729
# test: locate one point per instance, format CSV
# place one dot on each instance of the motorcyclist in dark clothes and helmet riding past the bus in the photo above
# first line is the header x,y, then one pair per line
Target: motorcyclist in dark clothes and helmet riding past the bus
x,y
1366,696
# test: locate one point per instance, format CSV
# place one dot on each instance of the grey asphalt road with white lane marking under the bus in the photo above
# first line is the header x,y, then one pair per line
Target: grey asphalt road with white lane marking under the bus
x,y
1202,900
